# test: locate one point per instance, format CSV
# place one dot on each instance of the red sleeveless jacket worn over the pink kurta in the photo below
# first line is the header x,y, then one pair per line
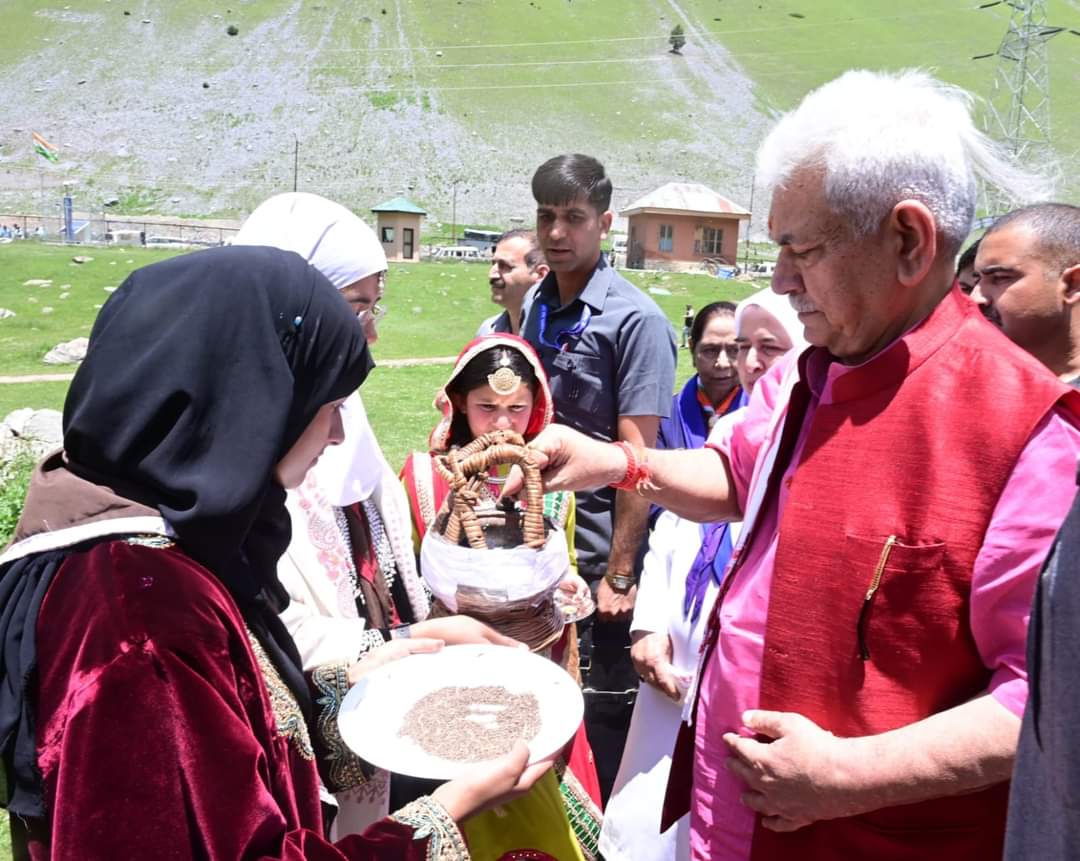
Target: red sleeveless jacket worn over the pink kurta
x,y
916,446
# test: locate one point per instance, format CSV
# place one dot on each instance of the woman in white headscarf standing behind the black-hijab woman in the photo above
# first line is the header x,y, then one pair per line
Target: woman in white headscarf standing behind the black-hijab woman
x,y
350,569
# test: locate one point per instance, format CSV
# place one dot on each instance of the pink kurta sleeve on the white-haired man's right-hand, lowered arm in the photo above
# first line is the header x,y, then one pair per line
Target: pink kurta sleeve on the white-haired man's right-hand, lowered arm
x,y
1023,527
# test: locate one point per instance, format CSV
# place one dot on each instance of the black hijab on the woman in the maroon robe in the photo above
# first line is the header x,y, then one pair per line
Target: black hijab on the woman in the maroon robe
x,y
202,372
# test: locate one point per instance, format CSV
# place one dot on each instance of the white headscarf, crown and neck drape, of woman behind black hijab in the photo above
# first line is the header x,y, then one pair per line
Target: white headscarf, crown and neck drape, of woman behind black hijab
x,y
343,248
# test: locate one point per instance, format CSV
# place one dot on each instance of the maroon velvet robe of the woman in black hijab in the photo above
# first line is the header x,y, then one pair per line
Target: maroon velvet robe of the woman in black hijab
x,y
156,734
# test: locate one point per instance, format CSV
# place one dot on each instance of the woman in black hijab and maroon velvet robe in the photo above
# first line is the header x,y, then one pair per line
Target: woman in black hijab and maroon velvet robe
x,y
152,703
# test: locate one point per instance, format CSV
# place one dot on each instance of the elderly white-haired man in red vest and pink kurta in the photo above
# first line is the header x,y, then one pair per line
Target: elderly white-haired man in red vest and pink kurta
x,y
863,676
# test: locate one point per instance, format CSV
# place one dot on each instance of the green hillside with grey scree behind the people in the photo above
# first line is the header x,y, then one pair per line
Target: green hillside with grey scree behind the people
x,y
166,111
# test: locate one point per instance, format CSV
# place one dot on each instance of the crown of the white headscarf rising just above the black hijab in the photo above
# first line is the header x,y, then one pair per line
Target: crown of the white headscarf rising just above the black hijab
x,y
326,234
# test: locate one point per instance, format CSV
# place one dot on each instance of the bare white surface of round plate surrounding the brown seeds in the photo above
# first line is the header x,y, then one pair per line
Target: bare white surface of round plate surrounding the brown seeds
x,y
373,711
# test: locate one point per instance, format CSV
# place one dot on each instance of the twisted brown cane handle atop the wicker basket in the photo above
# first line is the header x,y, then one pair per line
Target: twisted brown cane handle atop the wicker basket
x,y
466,469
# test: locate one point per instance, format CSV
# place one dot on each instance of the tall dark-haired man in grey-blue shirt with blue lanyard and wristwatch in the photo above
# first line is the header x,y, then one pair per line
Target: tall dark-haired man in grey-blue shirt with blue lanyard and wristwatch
x,y
611,355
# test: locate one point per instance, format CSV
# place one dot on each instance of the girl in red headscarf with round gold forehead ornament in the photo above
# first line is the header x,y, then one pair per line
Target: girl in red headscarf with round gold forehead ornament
x,y
498,384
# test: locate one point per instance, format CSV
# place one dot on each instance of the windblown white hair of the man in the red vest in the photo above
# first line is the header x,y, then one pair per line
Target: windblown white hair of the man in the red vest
x,y
883,138
